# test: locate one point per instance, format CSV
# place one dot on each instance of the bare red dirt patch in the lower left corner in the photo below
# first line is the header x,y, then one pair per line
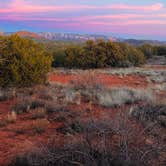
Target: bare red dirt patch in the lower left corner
x,y
12,143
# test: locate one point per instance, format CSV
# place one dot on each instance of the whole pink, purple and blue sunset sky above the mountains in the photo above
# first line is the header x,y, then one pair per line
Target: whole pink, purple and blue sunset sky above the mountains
x,y
143,19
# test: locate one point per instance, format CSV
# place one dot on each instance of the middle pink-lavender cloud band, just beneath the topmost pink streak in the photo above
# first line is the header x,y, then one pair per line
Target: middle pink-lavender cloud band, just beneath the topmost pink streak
x,y
122,18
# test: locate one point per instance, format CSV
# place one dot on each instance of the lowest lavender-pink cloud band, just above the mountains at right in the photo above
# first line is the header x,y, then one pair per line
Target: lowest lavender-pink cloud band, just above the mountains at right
x,y
127,29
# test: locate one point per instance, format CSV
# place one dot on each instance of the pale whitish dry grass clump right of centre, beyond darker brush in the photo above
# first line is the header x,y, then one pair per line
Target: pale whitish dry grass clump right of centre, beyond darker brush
x,y
120,96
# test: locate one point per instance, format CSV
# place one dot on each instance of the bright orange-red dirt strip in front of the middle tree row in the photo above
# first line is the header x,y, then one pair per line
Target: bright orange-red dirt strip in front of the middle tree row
x,y
105,79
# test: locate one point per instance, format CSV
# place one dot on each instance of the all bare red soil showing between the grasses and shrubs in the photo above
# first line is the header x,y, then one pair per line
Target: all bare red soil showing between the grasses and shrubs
x,y
11,143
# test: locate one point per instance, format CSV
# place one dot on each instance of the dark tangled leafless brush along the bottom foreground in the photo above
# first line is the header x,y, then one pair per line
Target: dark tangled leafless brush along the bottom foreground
x,y
125,148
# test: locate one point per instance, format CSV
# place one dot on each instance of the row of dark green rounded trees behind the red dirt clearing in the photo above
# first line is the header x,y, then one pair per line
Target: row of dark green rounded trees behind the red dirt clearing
x,y
98,54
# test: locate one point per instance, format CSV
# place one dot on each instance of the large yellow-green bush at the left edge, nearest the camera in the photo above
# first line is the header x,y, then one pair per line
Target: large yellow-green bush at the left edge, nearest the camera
x,y
22,62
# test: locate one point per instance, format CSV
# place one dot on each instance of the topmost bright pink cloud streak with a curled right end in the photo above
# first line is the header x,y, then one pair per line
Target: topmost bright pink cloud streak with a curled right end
x,y
20,6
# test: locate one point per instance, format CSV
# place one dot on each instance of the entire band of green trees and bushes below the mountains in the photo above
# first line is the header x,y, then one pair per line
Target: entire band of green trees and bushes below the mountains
x,y
26,62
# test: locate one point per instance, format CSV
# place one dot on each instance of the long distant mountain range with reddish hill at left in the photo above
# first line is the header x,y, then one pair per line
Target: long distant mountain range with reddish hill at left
x,y
52,36
